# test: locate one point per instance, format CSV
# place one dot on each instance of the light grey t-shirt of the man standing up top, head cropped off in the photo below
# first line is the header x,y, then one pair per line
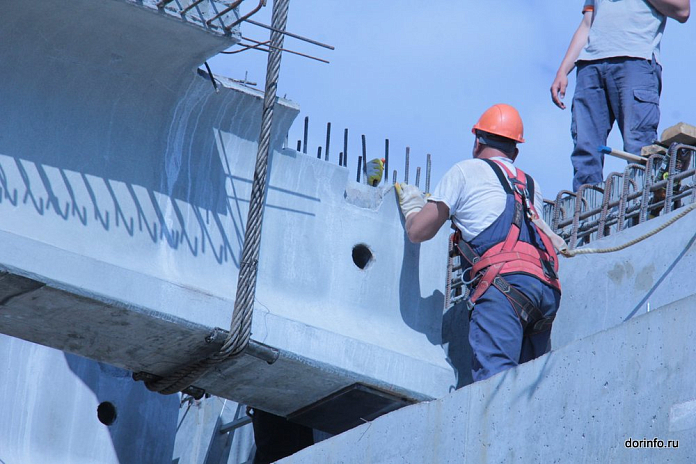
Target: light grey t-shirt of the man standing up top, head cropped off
x,y
623,28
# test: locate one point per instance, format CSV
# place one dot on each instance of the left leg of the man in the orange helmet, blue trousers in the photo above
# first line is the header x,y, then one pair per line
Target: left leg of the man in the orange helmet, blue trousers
x,y
495,335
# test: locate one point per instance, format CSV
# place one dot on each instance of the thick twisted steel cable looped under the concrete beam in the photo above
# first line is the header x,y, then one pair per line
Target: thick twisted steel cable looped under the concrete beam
x,y
240,326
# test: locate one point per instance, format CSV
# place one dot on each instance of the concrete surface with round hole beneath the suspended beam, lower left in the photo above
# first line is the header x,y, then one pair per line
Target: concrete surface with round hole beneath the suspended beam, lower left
x,y
49,414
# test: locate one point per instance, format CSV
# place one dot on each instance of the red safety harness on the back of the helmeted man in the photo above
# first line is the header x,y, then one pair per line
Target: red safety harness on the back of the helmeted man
x,y
513,255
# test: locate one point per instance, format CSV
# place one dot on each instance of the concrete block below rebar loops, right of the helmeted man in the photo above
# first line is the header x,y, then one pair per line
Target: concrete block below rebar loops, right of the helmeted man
x,y
603,290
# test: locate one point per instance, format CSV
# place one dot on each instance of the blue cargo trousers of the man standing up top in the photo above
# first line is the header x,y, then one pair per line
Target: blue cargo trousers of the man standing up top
x,y
626,90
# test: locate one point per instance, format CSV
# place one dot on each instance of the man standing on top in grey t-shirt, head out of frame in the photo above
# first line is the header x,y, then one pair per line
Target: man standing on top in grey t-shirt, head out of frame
x,y
616,50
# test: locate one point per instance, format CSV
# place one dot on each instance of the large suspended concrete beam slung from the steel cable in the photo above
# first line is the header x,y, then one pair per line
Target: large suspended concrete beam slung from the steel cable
x,y
124,192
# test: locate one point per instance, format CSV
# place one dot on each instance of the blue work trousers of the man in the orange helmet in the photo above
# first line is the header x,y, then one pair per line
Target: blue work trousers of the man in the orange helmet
x,y
496,336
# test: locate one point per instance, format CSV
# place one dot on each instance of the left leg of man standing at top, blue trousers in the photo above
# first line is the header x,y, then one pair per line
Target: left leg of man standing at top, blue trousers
x,y
591,123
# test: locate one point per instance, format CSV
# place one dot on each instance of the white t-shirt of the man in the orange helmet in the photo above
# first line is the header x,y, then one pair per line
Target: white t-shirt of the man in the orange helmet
x,y
472,192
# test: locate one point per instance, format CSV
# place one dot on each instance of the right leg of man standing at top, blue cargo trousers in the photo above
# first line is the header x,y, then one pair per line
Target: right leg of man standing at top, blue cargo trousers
x,y
638,84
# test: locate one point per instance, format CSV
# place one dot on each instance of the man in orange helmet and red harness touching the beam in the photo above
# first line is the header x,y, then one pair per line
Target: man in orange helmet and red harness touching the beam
x,y
508,250
